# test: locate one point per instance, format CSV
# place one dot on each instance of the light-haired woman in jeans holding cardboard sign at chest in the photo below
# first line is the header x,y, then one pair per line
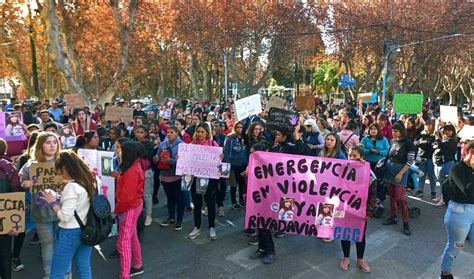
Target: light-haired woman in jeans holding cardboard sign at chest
x,y
46,150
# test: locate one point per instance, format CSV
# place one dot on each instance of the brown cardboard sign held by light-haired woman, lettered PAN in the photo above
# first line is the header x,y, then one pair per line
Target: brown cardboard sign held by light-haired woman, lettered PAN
x,y
44,176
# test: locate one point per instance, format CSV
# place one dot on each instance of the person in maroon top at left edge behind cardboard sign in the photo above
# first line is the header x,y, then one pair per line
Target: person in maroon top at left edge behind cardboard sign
x,y
9,182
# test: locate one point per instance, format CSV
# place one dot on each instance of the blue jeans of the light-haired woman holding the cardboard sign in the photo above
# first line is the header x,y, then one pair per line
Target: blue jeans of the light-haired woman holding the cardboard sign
x,y
46,233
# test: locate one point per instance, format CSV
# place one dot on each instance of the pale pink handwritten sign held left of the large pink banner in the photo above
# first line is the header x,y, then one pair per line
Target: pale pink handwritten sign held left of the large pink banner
x,y
199,160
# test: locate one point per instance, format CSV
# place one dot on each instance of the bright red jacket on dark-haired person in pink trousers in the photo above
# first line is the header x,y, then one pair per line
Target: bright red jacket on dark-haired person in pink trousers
x,y
130,187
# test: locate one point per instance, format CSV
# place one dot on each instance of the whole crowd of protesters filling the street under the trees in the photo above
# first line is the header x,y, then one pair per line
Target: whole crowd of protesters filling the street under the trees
x,y
403,150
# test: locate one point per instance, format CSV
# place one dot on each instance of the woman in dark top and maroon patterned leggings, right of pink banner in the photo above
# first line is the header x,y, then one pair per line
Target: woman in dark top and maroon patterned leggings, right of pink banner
x,y
400,157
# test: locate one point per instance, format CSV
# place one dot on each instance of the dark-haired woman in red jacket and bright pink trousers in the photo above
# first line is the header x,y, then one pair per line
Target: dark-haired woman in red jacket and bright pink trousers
x,y
129,204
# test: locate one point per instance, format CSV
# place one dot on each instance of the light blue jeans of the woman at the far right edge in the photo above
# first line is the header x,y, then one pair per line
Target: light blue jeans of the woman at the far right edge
x,y
459,222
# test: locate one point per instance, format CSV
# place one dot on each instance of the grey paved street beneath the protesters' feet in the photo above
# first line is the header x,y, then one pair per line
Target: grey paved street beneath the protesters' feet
x,y
390,254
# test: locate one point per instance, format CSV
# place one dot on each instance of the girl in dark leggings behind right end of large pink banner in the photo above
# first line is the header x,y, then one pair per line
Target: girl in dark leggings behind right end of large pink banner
x,y
356,153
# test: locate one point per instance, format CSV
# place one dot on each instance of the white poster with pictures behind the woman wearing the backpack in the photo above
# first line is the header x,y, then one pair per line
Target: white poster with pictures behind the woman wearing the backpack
x,y
101,162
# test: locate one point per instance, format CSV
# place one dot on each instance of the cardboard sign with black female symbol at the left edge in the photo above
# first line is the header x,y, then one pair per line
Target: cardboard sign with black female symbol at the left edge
x,y
12,212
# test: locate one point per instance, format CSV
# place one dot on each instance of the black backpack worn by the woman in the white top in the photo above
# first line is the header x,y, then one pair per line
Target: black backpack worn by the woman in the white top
x,y
99,221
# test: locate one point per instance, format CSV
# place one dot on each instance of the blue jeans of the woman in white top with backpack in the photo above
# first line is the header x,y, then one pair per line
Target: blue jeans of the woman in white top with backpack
x,y
69,246
